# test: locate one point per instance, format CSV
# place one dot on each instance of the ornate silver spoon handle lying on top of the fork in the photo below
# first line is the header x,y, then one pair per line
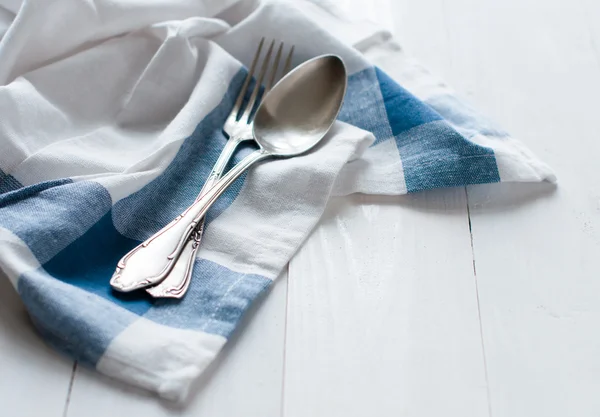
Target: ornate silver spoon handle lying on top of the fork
x,y
152,261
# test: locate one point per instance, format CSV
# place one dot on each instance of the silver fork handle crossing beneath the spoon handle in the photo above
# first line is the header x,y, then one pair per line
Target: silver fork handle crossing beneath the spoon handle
x,y
175,285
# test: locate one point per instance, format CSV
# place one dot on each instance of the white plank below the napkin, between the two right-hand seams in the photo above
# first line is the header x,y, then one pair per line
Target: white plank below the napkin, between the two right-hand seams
x,y
383,312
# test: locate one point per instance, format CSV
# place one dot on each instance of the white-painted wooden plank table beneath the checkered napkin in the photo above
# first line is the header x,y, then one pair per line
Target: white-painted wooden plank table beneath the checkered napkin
x,y
482,301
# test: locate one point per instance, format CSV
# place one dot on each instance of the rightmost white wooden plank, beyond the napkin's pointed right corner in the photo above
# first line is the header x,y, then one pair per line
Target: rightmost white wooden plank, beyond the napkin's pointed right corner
x,y
534,67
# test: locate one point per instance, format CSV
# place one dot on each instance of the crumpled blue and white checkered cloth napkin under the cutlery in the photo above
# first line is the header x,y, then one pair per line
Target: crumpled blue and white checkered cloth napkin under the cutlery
x,y
111,119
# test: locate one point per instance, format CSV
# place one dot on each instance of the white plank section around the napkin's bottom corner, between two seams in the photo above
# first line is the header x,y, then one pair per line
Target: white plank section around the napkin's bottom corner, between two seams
x,y
246,379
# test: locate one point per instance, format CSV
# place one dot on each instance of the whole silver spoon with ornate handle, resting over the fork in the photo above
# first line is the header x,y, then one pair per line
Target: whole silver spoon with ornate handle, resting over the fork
x,y
294,117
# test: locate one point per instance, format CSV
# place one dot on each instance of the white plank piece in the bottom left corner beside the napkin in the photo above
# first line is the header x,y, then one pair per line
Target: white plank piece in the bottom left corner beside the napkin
x,y
34,380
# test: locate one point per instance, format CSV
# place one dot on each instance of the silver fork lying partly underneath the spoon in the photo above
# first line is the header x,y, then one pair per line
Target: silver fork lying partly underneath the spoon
x,y
238,129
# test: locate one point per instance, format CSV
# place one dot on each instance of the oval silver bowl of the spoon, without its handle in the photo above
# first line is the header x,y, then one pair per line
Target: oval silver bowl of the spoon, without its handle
x,y
301,108
